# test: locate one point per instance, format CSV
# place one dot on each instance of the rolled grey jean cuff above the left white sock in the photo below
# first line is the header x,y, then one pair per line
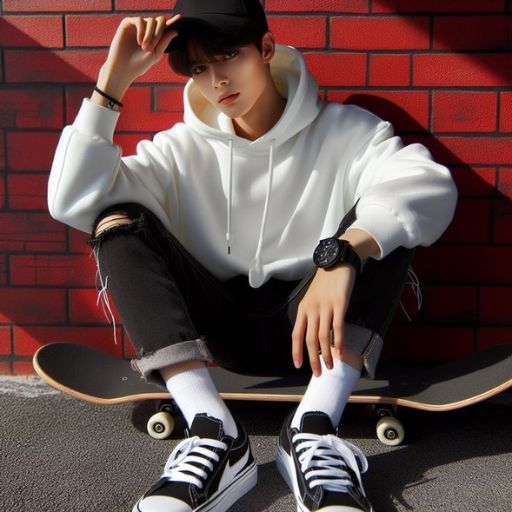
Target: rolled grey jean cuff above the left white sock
x,y
148,365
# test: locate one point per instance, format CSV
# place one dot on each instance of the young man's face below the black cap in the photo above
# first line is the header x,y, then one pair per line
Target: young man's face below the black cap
x,y
235,81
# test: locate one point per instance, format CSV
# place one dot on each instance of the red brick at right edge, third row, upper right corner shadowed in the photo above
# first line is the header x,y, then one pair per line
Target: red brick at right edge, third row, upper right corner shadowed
x,y
462,70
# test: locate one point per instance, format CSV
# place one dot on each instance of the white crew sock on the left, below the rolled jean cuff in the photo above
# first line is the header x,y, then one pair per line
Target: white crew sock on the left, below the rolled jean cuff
x,y
195,393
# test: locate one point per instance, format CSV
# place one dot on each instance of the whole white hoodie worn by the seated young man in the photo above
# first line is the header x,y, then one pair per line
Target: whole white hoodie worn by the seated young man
x,y
259,207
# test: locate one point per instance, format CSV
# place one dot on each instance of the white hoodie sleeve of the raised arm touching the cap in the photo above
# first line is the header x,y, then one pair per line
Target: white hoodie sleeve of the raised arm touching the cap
x,y
89,175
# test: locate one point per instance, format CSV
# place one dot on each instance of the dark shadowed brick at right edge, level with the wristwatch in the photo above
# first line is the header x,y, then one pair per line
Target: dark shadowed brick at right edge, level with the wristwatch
x,y
460,264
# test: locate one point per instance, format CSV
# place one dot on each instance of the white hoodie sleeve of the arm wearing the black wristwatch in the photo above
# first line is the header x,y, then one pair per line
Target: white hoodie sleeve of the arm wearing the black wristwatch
x,y
405,198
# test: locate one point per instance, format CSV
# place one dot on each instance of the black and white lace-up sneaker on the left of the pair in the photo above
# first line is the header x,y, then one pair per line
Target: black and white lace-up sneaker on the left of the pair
x,y
208,471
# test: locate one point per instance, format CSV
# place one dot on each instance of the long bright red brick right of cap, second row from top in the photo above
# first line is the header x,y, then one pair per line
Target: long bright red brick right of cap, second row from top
x,y
381,33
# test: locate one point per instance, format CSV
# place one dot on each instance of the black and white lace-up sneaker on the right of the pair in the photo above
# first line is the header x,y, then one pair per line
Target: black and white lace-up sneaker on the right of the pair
x,y
321,469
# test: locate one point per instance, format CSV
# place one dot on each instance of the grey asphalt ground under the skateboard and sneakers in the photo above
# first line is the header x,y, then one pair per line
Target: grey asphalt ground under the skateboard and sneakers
x,y
61,455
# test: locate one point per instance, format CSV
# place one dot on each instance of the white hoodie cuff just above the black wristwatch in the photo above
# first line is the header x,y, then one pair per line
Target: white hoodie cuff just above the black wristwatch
x,y
383,226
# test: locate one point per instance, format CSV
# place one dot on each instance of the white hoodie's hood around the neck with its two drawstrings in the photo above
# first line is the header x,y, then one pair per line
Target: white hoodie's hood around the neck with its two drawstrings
x,y
293,82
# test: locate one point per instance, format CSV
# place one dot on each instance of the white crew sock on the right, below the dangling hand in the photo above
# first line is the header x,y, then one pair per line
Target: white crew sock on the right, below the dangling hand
x,y
328,393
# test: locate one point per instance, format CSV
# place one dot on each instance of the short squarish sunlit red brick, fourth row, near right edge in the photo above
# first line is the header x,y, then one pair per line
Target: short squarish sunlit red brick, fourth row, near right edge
x,y
460,111
